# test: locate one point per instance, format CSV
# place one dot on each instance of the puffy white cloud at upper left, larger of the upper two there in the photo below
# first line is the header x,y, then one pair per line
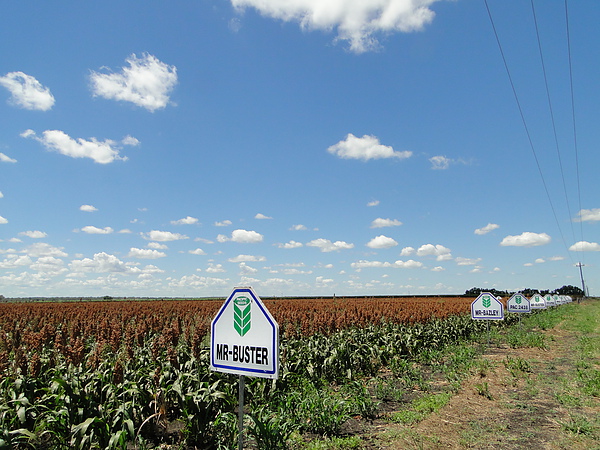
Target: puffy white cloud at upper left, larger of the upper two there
x,y
147,82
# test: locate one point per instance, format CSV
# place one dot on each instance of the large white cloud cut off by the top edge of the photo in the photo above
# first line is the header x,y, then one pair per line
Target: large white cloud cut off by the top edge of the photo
x,y
357,22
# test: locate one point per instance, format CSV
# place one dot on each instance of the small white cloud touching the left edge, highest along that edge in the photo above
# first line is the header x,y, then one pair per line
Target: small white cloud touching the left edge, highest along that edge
x,y
27,92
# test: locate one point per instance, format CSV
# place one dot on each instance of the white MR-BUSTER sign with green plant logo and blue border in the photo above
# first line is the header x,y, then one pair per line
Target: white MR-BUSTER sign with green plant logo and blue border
x,y
244,337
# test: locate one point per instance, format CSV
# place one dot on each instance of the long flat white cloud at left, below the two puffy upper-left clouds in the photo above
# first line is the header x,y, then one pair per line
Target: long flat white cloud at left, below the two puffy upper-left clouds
x,y
101,152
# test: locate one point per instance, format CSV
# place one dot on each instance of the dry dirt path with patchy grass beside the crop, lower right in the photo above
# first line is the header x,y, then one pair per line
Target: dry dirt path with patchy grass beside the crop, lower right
x,y
524,398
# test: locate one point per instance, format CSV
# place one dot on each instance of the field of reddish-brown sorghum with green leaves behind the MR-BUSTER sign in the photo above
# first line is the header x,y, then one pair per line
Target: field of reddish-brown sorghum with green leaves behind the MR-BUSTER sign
x,y
135,374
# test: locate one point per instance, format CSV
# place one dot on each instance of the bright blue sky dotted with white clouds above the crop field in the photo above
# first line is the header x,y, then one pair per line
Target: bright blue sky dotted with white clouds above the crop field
x,y
304,147
